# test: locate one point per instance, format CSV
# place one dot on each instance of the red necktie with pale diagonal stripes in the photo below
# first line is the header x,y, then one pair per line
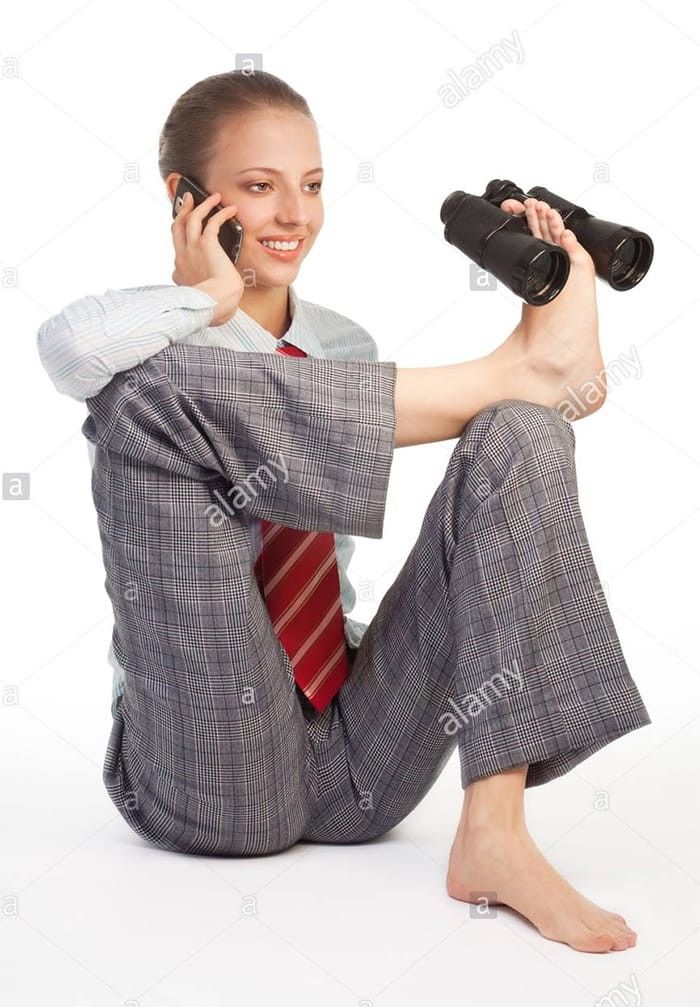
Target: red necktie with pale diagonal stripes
x,y
298,576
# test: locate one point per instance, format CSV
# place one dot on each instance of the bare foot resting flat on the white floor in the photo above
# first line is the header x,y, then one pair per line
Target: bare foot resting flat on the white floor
x,y
506,862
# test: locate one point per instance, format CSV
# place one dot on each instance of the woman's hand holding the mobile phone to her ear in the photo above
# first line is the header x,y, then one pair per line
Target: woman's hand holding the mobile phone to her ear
x,y
200,259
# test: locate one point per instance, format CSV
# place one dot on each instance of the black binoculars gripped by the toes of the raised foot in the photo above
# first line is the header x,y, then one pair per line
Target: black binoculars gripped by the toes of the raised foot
x,y
534,269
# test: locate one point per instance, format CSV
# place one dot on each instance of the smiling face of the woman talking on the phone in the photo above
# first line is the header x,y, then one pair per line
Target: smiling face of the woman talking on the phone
x,y
284,204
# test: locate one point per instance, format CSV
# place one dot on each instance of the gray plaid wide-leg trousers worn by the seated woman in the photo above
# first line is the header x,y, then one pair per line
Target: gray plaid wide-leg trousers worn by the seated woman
x,y
495,637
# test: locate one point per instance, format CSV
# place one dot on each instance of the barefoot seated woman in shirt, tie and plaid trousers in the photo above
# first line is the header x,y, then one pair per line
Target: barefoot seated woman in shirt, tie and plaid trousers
x,y
495,637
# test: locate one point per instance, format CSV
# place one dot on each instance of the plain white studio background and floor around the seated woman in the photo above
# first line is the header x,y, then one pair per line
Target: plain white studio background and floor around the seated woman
x,y
604,109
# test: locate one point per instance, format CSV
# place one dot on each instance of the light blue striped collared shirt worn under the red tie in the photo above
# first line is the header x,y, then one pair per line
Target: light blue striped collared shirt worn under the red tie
x,y
95,338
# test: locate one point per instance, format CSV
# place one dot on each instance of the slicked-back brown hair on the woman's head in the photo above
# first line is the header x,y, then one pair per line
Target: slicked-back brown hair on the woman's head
x,y
189,138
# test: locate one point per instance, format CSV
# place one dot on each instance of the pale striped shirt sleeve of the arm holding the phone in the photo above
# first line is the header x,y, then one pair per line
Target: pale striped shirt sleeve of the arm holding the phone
x,y
95,338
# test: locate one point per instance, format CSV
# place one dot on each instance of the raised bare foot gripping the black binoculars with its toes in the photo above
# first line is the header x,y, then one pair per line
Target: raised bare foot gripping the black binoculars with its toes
x,y
555,348
